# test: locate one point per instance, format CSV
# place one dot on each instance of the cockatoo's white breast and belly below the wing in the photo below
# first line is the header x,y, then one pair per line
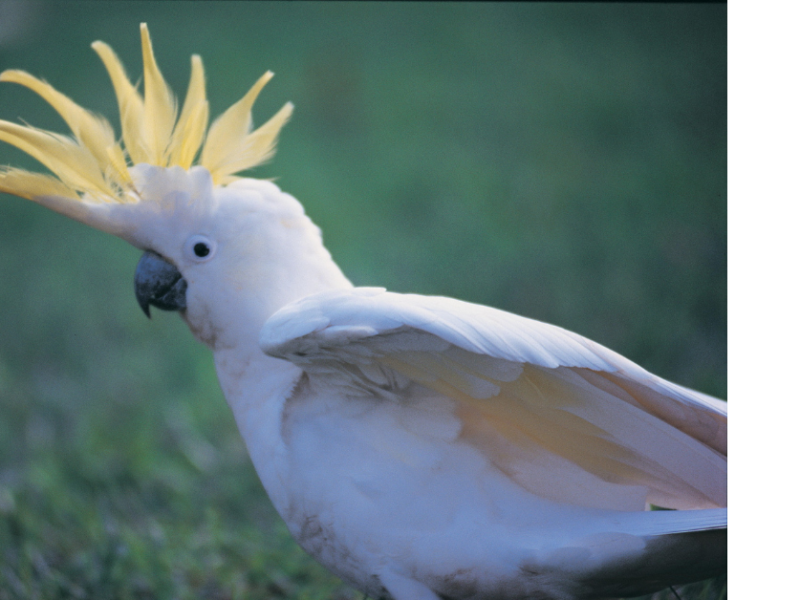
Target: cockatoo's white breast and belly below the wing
x,y
381,491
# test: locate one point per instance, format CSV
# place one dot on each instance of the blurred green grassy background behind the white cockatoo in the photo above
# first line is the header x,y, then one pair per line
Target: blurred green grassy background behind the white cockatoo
x,y
566,162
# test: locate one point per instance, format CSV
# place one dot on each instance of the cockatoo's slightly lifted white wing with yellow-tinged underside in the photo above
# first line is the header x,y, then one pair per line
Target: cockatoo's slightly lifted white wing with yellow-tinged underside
x,y
566,418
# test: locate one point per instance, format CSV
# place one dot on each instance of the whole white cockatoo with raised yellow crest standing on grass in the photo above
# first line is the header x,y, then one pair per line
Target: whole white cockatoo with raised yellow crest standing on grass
x,y
419,447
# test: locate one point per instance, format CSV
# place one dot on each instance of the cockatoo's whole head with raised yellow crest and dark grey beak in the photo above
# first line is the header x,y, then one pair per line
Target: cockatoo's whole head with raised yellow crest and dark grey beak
x,y
222,249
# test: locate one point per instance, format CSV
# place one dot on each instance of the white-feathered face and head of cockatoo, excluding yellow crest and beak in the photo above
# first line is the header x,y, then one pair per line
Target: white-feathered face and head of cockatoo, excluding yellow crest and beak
x,y
263,251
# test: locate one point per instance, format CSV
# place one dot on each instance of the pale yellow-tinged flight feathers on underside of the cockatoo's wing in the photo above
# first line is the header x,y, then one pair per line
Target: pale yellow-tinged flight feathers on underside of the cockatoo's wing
x,y
557,410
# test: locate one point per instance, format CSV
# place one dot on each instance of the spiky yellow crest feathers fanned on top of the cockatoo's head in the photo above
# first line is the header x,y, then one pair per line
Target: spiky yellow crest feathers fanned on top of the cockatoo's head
x,y
93,164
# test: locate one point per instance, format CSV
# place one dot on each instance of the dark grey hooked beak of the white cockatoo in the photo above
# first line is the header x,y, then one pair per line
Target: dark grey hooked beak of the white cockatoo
x,y
158,282
